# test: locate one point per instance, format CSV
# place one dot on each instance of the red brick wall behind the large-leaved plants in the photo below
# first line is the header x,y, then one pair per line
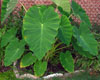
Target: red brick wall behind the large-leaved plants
x,y
92,7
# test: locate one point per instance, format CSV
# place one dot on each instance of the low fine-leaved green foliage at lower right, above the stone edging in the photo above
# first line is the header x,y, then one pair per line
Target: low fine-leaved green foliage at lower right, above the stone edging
x,y
86,63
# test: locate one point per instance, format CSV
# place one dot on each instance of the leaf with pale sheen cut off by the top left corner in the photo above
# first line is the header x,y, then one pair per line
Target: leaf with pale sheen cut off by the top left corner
x,y
7,8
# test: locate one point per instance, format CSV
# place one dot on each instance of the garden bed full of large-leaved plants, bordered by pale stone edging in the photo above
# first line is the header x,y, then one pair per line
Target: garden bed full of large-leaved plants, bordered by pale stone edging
x,y
45,42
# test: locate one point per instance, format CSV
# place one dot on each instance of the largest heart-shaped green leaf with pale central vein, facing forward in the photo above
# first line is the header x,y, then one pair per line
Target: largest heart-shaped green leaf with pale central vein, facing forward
x,y
40,28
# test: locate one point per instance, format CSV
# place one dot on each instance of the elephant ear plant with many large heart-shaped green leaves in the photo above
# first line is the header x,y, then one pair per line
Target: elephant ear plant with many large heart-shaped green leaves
x,y
44,31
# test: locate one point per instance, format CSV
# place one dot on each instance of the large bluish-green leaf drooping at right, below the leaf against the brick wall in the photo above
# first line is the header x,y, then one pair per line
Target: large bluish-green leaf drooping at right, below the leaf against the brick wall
x,y
85,39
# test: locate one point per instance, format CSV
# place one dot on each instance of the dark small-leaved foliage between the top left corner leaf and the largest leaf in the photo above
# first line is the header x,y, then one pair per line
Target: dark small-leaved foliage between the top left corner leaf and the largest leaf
x,y
15,20
